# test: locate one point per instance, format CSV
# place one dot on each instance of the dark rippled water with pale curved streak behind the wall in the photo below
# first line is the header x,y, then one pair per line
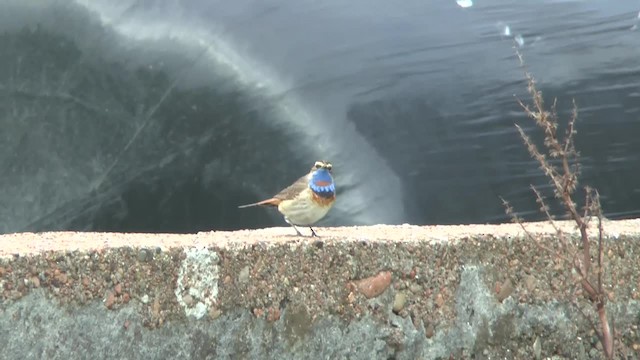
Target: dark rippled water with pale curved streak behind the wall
x,y
164,116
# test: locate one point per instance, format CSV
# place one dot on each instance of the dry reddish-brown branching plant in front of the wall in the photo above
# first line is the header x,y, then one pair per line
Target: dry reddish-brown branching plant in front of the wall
x,y
564,180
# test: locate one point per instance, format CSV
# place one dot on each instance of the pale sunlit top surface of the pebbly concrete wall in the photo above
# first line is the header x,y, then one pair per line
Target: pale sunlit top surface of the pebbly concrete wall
x,y
33,243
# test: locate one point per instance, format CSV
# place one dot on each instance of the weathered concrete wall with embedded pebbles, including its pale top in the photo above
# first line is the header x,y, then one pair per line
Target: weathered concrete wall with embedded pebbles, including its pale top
x,y
381,292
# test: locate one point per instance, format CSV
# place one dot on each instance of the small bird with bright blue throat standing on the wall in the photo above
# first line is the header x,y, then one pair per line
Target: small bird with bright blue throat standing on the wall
x,y
307,200
